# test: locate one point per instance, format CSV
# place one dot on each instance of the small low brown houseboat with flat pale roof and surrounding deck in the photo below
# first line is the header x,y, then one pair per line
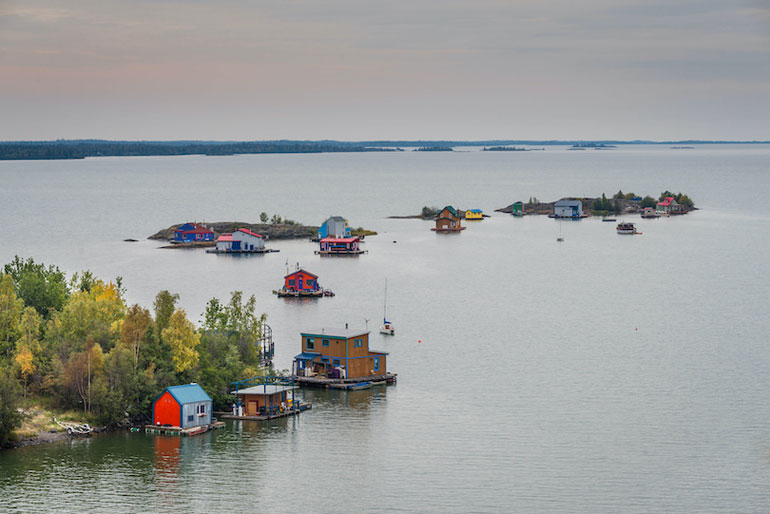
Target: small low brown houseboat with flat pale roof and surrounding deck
x,y
264,398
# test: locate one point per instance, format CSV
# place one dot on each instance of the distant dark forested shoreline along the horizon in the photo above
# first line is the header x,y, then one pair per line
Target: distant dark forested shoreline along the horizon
x,y
82,148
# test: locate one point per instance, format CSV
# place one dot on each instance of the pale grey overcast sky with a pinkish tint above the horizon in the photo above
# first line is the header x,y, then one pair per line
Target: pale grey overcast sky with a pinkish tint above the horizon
x,y
361,70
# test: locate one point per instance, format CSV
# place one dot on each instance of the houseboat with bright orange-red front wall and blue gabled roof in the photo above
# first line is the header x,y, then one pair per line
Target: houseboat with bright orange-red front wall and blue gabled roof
x,y
183,410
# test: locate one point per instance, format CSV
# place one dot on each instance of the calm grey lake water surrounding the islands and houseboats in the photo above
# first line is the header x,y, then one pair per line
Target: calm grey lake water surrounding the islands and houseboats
x,y
602,374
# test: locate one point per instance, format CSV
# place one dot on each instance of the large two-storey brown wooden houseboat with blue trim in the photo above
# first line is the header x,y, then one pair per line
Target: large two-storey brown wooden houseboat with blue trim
x,y
339,356
